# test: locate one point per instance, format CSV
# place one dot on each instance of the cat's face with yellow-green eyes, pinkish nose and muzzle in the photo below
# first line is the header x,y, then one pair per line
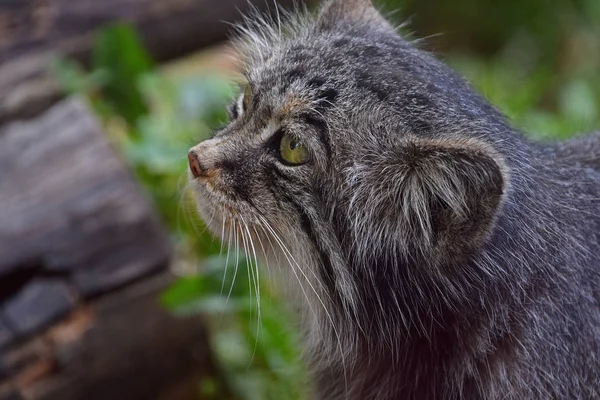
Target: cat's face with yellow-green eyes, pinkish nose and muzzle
x,y
265,163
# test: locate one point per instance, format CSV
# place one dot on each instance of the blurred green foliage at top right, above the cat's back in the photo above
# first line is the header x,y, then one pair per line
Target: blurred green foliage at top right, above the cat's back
x,y
536,60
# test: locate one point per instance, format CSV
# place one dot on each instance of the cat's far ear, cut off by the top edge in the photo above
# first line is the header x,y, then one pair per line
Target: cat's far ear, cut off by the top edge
x,y
362,12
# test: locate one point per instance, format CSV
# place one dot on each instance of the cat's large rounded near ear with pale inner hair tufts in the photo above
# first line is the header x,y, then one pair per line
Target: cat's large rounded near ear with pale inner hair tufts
x,y
442,195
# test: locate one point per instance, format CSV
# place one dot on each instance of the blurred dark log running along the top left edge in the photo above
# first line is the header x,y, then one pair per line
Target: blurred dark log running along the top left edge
x,y
33,31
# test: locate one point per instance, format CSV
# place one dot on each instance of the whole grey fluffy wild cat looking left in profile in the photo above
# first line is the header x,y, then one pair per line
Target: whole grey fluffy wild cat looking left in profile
x,y
436,252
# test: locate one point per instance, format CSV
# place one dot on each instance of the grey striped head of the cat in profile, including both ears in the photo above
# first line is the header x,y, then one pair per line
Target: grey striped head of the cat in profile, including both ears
x,y
353,147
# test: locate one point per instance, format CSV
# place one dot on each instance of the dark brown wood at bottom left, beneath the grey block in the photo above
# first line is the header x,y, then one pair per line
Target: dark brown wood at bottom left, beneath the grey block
x,y
124,346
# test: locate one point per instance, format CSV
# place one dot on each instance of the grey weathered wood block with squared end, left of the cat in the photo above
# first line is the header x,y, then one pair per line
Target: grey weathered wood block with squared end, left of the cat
x,y
73,221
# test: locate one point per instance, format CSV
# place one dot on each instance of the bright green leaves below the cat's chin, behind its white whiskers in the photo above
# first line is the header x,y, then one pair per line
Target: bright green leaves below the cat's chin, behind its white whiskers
x,y
255,345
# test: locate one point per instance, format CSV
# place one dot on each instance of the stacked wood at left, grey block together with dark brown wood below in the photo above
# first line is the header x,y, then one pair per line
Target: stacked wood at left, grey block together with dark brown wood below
x,y
75,231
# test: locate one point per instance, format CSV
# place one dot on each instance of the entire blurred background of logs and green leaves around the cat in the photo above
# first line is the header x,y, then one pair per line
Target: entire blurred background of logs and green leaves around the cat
x,y
110,286
